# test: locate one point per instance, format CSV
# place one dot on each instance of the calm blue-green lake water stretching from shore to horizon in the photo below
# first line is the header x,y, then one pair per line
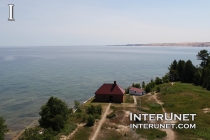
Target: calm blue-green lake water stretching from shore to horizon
x,y
30,75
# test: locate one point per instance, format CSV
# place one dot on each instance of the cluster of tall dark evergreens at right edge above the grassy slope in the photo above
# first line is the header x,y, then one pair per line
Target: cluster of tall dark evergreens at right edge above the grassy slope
x,y
188,73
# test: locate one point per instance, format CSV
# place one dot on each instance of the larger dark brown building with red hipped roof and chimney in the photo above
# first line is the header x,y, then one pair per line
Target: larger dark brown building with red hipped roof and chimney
x,y
110,93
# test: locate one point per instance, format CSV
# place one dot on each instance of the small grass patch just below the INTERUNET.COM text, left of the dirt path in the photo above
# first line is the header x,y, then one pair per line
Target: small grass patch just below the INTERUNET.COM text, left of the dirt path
x,y
151,134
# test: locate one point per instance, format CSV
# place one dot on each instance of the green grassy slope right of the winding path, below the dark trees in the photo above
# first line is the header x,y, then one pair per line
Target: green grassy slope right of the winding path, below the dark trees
x,y
186,98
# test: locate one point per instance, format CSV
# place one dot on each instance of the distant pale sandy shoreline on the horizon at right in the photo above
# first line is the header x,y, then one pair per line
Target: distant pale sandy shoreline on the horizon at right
x,y
184,44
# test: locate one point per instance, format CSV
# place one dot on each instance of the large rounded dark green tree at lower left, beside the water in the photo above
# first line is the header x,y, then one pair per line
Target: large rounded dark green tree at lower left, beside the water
x,y
54,114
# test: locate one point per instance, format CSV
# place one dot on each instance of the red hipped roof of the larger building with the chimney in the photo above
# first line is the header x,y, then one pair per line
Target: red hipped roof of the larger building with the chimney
x,y
110,89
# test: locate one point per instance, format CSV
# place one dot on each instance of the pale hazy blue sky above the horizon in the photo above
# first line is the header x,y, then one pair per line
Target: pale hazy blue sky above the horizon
x,y
103,22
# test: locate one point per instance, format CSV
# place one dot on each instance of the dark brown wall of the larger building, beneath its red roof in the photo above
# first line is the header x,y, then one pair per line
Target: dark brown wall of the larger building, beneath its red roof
x,y
109,98
